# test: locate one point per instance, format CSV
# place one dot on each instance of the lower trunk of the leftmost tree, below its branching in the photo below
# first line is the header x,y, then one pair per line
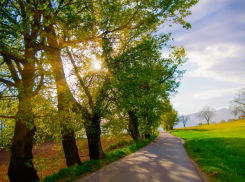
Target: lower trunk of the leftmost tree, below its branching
x,y
21,167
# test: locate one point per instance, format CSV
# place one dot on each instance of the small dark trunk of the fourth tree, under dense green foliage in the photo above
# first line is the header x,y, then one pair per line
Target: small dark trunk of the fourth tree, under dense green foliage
x,y
133,125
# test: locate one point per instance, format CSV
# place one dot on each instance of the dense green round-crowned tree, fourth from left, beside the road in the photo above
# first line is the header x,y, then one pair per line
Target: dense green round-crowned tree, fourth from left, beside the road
x,y
143,82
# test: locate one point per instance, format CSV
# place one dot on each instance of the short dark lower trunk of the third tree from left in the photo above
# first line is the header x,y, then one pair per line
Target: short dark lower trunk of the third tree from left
x,y
93,133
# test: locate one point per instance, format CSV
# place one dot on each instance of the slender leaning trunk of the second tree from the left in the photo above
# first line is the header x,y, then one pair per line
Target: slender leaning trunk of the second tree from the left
x,y
64,98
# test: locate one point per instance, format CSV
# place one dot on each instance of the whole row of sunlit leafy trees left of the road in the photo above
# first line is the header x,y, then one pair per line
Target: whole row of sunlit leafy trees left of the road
x,y
50,88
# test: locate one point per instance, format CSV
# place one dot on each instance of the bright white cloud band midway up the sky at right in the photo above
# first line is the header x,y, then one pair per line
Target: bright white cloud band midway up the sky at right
x,y
217,56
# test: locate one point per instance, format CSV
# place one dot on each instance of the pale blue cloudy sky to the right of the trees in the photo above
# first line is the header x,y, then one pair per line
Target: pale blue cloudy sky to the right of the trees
x,y
215,46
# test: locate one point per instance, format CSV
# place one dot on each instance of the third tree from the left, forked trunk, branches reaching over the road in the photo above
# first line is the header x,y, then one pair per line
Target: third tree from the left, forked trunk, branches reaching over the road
x,y
114,37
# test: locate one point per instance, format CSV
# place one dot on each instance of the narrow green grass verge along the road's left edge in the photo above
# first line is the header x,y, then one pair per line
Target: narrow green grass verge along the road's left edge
x,y
72,173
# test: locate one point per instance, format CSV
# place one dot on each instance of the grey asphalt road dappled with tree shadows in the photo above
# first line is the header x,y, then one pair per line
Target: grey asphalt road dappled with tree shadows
x,y
165,159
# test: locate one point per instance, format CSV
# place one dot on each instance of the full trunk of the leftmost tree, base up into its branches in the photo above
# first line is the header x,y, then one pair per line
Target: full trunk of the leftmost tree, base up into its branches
x,y
21,166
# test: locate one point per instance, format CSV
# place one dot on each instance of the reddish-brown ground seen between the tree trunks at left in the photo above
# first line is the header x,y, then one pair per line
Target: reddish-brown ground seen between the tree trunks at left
x,y
49,157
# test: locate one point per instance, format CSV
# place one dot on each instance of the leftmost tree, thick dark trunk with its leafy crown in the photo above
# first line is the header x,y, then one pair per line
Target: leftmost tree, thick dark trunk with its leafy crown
x,y
22,78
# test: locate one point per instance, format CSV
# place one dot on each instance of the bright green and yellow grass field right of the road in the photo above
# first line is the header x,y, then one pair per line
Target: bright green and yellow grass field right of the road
x,y
218,149
